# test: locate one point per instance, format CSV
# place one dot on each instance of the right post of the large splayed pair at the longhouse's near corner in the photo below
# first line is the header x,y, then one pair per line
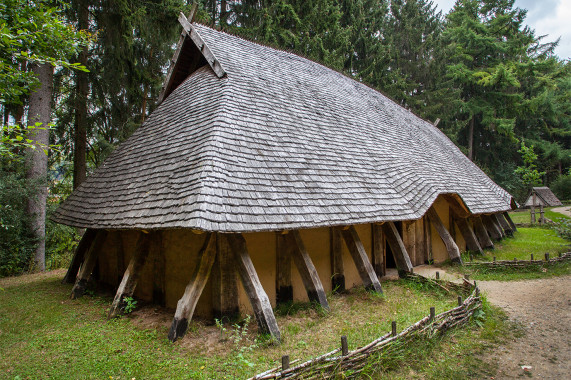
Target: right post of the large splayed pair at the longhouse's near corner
x,y
258,297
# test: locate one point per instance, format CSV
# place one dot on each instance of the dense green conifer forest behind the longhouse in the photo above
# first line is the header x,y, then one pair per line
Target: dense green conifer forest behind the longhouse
x,y
496,87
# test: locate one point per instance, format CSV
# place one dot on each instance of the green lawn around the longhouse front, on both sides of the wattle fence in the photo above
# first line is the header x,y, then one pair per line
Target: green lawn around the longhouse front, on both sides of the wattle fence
x,y
45,334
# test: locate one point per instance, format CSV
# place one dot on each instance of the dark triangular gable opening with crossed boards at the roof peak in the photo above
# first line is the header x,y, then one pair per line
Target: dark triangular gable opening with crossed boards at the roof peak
x,y
191,53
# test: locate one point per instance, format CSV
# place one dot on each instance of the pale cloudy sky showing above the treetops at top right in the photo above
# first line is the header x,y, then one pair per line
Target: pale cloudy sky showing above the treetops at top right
x,y
551,17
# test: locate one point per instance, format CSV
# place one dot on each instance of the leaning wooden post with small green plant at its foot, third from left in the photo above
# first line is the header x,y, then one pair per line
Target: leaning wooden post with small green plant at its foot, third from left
x,y
132,273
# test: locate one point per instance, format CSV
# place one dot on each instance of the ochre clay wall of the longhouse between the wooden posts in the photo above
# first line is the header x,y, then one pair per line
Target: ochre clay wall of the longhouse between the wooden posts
x,y
172,269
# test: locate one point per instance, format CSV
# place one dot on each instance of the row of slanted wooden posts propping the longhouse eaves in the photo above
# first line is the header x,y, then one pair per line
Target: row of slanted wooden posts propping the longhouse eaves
x,y
224,255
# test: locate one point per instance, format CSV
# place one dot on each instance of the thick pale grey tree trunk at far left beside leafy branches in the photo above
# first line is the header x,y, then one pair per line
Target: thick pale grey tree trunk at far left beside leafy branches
x,y
37,160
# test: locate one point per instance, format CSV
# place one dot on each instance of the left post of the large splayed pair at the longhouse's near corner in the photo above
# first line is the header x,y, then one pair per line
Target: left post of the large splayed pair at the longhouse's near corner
x,y
187,303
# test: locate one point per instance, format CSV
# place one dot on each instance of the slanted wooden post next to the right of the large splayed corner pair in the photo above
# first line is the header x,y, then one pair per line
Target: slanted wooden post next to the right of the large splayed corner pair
x,y
306,269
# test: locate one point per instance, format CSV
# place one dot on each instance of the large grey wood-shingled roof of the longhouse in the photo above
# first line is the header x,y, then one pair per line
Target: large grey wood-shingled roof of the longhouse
x,y
274,141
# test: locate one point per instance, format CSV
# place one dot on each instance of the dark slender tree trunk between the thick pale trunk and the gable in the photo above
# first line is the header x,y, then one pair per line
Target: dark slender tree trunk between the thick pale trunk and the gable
x,y
82,88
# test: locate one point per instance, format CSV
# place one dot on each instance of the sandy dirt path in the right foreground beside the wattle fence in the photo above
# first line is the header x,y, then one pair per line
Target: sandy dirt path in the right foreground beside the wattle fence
x,y
543,307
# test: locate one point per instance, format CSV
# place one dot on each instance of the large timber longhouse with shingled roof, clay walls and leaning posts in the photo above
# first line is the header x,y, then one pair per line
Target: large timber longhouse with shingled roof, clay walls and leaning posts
x,y
263,177
